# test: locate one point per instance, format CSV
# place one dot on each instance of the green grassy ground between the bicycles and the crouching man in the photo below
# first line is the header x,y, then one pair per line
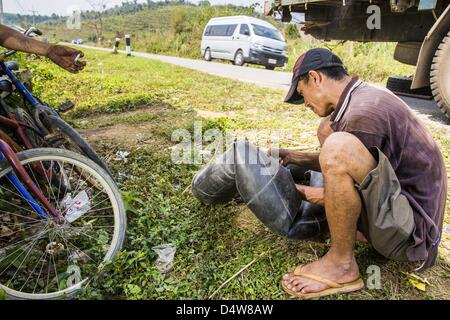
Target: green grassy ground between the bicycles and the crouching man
x,y
134,104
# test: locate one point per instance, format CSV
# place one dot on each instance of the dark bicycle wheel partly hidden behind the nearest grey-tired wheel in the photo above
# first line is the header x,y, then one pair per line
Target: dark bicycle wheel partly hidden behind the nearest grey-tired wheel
x,y
64,136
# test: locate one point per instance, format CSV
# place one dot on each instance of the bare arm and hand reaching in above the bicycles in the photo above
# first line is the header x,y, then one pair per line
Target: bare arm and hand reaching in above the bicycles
x,y
63,56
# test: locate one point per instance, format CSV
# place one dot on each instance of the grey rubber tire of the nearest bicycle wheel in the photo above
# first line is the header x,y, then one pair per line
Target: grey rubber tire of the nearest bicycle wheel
x,y
52,152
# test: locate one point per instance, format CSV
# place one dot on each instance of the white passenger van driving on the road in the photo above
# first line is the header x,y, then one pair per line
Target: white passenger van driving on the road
x,y
244,39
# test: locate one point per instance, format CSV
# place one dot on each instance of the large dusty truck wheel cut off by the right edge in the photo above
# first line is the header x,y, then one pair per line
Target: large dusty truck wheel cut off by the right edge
x,y
440,76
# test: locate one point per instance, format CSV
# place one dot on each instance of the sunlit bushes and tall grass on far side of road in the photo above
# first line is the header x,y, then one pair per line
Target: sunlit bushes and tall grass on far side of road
x,y
176,29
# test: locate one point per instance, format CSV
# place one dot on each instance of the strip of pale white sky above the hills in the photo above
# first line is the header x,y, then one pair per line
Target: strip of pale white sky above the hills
x,y
64,7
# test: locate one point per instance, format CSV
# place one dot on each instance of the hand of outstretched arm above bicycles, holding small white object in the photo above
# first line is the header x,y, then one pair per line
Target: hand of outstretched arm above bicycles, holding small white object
x,y
66,57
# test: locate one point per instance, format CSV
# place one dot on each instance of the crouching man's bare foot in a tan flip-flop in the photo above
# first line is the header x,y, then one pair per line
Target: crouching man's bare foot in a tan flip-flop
x,y
328,267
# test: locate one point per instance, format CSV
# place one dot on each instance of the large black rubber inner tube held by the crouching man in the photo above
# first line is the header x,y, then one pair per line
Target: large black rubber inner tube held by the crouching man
x,y
266,187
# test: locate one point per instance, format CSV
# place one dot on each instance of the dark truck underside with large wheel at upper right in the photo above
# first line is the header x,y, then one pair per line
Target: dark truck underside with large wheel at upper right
x,y
421,29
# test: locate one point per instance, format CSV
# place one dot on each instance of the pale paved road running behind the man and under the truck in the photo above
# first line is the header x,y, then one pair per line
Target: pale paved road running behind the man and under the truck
x,y
426,109
